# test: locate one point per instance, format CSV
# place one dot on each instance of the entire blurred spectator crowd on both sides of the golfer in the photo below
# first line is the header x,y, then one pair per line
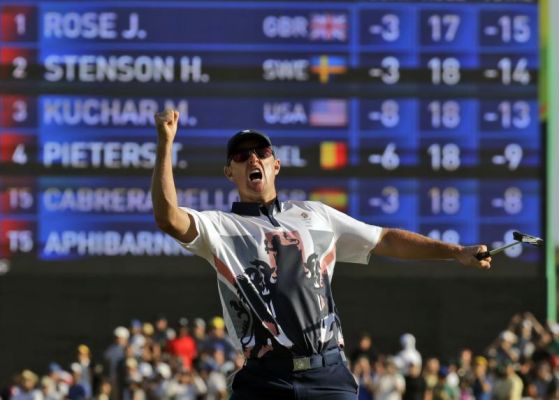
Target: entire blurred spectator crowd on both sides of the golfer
x,y
192,360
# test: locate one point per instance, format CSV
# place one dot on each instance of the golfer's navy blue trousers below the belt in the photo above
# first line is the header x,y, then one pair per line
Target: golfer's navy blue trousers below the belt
x,y
333,382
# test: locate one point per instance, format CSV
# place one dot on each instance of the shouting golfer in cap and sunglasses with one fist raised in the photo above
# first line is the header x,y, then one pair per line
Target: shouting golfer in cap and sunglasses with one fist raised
x,y
274,262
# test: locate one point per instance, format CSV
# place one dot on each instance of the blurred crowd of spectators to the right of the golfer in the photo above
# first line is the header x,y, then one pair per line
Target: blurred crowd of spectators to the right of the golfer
x,y
522,363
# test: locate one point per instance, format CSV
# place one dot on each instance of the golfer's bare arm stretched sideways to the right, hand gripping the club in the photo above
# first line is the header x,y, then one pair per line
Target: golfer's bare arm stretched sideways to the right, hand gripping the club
x,y
399,243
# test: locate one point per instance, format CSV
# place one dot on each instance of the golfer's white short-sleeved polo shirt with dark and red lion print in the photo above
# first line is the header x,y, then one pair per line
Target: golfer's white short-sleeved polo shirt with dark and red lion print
x,y
274,267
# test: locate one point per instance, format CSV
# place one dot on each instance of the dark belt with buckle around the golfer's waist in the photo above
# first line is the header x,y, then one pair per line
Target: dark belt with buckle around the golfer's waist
x,y
327,357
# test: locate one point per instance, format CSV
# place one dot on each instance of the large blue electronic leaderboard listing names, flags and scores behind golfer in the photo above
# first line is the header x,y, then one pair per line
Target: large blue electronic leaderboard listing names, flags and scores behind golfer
x,y
421,115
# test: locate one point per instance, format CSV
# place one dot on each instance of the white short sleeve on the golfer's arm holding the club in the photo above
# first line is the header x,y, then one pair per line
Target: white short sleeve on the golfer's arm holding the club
x,y
354,239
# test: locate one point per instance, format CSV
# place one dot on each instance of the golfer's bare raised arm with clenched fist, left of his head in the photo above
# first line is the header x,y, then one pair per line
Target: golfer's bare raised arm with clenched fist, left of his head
x,y
168,216
